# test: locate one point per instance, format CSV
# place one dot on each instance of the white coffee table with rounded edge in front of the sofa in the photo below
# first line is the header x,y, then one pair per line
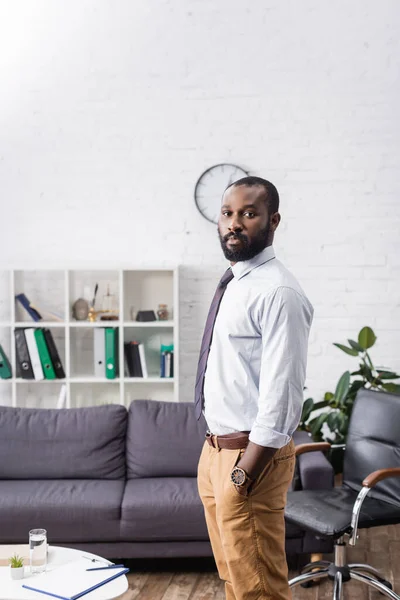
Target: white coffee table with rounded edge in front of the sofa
x,y
12,590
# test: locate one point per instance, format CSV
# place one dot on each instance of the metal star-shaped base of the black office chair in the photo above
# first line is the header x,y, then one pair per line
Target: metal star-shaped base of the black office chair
x,y
340,573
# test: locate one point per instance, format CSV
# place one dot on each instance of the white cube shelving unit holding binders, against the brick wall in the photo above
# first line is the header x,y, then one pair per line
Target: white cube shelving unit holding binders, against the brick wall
x,y
56,291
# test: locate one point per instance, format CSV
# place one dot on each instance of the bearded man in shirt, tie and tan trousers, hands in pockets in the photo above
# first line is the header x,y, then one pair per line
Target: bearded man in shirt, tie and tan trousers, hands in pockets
x,y
249,386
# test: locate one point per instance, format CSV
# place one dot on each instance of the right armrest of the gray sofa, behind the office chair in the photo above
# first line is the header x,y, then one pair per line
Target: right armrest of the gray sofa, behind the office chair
x,y
313,469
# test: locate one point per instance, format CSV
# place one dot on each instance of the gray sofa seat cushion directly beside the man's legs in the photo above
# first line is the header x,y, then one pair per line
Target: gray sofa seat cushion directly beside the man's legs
x,y
163,508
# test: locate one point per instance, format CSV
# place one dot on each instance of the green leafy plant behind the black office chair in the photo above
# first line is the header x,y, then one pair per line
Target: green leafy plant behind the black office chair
x,y
332,425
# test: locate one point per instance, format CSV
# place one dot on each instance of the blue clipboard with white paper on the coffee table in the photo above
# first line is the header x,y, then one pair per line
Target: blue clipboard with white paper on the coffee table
x,y
72,581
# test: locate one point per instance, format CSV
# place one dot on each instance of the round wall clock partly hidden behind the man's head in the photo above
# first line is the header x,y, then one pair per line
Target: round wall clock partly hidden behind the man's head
x,y
210,187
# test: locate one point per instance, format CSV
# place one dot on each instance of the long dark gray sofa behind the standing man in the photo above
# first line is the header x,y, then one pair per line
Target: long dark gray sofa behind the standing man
x,y
118,483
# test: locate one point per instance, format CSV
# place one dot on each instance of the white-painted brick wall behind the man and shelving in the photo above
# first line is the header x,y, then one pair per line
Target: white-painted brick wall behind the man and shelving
x,y
110,111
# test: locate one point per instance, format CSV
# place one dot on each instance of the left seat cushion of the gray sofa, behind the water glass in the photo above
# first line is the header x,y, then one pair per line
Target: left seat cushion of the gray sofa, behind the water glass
x,y
70,510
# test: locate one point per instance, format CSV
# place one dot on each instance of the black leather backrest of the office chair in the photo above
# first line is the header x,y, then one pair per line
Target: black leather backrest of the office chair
x,y
373,443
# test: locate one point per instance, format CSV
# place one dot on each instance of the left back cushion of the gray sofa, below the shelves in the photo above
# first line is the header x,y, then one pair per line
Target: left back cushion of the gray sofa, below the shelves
x,y
74,443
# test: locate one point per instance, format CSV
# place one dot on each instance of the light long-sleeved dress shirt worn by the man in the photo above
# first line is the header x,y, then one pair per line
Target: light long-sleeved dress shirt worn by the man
x,y
256,367
